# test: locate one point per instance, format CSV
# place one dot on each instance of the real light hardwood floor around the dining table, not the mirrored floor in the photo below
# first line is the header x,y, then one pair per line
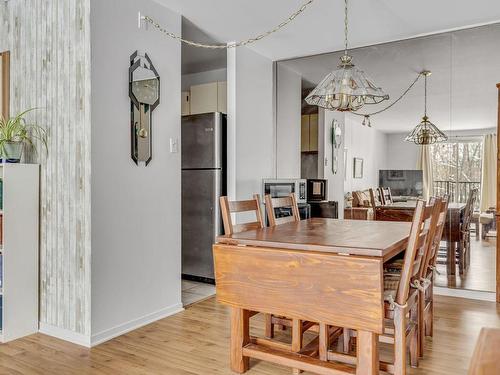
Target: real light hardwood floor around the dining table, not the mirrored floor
x,y
196,342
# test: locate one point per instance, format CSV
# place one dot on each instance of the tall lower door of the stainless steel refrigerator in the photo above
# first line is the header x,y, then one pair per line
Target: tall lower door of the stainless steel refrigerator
x,y
201,220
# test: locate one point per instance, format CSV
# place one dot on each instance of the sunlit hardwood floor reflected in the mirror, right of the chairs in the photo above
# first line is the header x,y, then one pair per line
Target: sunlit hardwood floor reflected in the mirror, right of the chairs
x,y
481,274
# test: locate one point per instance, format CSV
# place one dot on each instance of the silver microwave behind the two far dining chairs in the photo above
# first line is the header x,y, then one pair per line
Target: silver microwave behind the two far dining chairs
x,y
279,188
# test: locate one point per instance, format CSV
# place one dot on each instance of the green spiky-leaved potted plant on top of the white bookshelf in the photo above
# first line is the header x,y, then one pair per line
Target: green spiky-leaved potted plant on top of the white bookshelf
x,y
15,133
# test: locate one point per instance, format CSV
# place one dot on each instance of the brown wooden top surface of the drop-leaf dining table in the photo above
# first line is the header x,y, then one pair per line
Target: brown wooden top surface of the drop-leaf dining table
x,y
353,237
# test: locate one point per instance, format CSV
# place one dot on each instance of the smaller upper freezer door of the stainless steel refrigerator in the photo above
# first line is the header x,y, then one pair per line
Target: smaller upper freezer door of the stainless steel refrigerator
x,y
202,141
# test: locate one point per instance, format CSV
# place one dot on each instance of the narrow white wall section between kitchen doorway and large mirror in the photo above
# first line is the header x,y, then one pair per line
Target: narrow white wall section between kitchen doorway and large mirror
x,y
251,134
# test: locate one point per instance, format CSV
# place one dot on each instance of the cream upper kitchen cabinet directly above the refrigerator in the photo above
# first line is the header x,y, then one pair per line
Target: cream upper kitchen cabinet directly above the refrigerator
x,y
208,97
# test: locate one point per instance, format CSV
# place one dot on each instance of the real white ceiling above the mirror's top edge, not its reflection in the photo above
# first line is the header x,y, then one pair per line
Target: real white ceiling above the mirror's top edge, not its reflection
x,y
320,28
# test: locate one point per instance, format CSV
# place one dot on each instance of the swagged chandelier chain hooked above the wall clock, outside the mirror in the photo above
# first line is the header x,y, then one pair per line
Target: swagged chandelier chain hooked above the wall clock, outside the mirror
x,y
241,43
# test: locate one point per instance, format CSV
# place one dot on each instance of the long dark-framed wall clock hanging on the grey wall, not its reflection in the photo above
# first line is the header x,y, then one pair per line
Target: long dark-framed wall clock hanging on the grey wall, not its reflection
x,y
144,92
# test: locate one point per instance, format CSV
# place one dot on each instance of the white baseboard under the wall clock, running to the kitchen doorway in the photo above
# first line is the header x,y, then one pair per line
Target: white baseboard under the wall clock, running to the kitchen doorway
x,y
121,329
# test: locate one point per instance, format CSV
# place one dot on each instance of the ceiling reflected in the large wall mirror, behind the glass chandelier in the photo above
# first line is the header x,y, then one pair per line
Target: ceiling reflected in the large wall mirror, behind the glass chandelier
x,y
462,93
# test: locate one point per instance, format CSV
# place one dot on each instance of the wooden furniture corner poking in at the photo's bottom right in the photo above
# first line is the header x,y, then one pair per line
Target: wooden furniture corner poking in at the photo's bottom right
x,y
485,358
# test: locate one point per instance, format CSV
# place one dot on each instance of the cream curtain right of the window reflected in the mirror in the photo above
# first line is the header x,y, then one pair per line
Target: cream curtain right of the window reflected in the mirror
x,y
489,172
